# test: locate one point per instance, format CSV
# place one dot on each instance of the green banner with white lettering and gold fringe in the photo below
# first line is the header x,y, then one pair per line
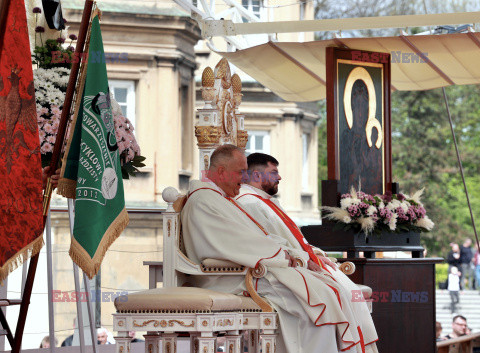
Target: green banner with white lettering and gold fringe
x,y
92,163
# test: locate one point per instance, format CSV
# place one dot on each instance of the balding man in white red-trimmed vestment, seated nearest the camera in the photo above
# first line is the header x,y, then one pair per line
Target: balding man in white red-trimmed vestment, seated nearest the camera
x,y
316,313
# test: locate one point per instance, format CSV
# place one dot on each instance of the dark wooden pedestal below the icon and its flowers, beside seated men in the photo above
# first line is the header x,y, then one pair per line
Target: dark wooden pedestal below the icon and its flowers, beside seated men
x,y
403,301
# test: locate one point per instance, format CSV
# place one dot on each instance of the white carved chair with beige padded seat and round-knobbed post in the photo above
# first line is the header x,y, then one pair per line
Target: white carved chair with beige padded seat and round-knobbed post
x,y
176,308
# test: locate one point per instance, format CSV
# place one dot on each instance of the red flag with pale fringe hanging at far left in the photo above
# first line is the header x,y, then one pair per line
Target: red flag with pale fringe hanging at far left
x,y
21,221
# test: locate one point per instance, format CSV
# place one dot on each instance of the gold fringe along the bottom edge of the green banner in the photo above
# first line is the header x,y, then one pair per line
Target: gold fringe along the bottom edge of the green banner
x,y
91,265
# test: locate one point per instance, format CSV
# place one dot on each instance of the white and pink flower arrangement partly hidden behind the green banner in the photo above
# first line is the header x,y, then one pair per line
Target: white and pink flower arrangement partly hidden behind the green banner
x,y
51,78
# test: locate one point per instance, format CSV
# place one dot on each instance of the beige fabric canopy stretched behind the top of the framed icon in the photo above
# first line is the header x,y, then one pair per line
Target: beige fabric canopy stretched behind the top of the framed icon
x,y
296,71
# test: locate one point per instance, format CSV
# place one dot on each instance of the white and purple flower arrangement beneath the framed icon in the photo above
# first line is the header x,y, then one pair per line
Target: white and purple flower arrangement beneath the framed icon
x,y
391,212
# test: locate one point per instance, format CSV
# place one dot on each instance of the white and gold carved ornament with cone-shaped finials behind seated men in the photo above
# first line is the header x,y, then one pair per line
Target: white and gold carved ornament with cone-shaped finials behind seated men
x,y
220,121
